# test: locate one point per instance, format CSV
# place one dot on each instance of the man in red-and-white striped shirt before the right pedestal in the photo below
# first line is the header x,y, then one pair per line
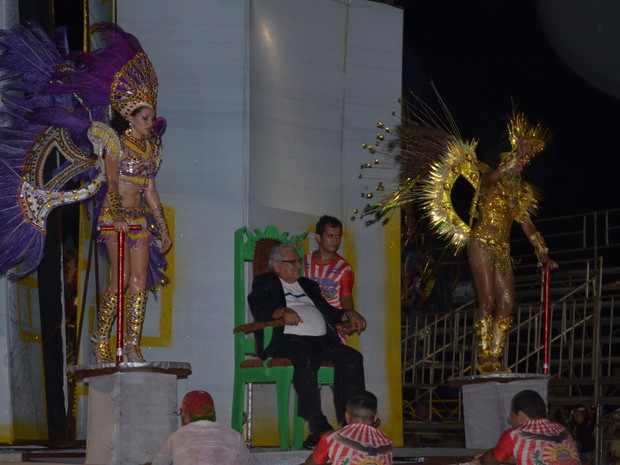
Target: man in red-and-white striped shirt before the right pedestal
x,y
533,439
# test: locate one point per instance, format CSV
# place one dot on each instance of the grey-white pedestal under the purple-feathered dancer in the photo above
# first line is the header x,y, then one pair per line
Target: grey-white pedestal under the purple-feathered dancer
x,y
131,410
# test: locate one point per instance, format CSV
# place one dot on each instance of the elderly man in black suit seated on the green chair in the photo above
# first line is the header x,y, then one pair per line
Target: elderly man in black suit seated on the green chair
x,y
308,337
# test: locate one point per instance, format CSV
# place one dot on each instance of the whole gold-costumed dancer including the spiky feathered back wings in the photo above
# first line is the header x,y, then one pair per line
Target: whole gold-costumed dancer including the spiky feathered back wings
x,y
432,155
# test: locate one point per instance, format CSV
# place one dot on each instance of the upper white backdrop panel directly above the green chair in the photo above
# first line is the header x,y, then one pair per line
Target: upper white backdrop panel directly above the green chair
x,y
297,58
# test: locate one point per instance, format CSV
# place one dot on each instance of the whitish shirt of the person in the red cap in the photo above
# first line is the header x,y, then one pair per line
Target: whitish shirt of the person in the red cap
x,y
203,442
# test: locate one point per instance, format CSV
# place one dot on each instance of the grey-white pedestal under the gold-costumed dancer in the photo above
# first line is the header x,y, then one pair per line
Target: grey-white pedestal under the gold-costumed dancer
x,y
486,405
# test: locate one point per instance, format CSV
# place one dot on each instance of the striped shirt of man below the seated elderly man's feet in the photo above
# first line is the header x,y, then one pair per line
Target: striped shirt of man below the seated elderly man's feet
x,y
355,444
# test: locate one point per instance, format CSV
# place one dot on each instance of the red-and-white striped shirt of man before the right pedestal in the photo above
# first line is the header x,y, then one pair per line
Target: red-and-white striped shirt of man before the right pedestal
x,y
538,442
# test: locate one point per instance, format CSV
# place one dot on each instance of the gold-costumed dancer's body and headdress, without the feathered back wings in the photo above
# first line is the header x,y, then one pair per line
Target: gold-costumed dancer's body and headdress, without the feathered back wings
x,y
502,198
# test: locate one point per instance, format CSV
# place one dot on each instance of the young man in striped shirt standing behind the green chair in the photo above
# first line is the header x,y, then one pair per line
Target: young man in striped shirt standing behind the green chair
x,y
331,271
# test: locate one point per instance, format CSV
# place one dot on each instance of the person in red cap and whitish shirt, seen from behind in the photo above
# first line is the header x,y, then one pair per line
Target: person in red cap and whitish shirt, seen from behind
x,y
200,440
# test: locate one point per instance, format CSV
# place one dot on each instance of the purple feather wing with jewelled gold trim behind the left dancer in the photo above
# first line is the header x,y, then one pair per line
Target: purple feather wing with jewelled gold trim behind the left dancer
x,y
28,58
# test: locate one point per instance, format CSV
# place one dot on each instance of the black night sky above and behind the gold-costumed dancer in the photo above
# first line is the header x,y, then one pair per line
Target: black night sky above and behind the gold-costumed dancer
x,y
483,55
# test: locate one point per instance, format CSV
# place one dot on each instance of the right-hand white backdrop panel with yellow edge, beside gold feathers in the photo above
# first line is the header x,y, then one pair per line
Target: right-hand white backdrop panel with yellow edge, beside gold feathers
x,y
372,89
